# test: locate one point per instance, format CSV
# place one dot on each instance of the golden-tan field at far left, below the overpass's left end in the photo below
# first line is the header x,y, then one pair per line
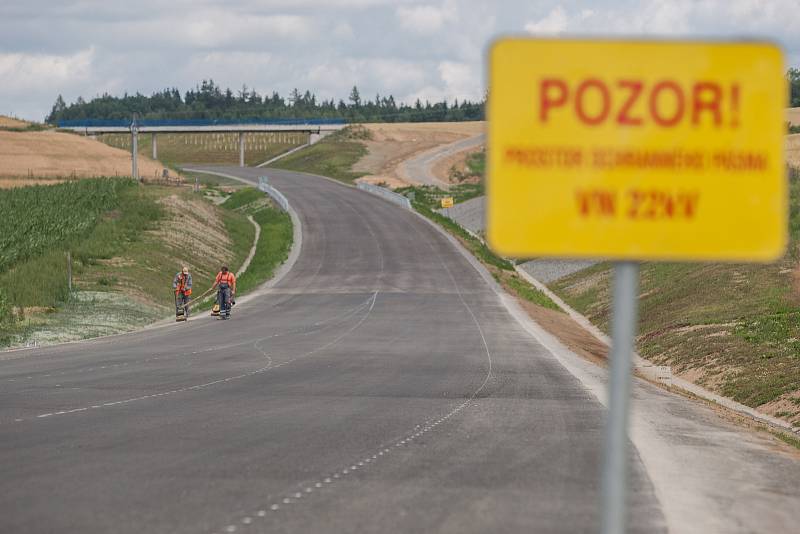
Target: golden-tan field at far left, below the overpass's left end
x,y
51,154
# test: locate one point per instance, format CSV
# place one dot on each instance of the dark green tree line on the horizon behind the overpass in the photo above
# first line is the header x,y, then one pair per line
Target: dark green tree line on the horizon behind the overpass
x,y
209,101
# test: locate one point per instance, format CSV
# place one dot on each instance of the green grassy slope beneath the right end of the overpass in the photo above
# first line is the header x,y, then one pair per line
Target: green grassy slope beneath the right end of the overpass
x,y
333,156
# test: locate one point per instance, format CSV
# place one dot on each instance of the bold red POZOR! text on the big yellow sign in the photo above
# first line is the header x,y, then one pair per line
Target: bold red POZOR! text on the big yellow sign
x,y
631,102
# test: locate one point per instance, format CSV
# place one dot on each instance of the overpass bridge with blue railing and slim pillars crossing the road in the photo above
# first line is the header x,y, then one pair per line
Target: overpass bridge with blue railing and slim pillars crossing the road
x,y
316,128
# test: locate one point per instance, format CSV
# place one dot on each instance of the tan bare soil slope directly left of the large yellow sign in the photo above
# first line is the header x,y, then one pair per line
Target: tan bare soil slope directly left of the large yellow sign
x,y
393,143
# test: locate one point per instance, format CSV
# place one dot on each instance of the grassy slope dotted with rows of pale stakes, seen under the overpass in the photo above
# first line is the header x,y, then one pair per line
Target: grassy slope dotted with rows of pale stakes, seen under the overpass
x,y
216,148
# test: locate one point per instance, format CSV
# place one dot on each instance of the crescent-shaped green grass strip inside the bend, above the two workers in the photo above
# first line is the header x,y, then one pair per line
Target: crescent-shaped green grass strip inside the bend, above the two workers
x,y
274,242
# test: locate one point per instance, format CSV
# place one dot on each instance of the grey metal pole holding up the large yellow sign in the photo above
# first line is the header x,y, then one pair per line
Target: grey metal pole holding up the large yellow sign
x,y
623,333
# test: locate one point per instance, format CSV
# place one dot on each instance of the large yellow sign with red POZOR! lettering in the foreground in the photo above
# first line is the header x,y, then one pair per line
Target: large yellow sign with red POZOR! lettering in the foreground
x,y
637,150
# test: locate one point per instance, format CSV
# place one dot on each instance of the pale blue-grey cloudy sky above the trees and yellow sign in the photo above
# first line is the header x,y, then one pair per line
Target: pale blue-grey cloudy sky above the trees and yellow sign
x,y
427,49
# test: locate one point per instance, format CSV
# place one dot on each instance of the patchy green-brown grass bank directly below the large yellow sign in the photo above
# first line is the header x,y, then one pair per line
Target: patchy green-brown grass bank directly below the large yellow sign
x,y
733,328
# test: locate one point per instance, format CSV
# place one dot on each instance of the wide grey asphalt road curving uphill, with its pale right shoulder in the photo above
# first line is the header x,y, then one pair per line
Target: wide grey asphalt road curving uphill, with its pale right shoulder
x,y
383,385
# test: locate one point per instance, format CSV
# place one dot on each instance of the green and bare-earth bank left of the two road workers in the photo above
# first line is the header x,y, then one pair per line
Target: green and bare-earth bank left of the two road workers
x,y
126,240
